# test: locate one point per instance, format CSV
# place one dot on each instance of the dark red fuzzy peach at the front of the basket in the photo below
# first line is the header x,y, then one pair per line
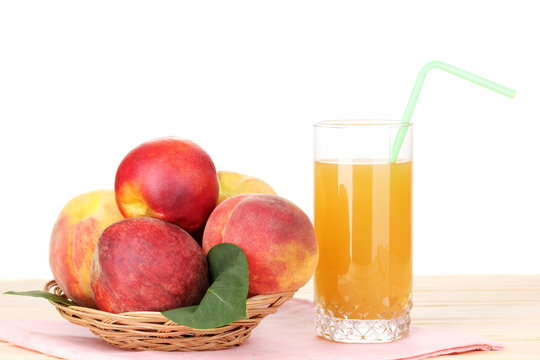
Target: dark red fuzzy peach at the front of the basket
x,y
147,264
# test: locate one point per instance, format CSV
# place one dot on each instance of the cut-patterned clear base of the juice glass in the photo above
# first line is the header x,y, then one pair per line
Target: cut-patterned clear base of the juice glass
x,y
336,327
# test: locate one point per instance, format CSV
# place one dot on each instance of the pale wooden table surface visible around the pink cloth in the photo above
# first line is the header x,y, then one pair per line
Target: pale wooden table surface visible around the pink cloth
x,y
505,308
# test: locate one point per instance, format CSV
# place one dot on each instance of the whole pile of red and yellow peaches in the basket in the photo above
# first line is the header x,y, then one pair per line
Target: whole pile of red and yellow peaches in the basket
x,y
143,245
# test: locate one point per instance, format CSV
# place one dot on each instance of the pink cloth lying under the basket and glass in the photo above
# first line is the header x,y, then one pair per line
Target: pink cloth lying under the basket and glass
x,y
288,334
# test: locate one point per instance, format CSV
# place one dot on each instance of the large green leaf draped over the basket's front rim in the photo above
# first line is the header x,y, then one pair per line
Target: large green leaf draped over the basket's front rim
x,y
225,300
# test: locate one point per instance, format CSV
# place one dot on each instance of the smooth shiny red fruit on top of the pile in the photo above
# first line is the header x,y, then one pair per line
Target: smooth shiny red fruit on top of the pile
x,y
170,179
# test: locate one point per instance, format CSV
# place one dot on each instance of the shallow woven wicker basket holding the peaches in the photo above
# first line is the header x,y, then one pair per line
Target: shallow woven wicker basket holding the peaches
x,y
149,330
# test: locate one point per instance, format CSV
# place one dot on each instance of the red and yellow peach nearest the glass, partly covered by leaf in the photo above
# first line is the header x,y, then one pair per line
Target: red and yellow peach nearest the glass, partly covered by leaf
x,y
276,236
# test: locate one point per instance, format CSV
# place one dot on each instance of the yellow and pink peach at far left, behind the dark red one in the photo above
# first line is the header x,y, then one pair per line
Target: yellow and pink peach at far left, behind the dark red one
x,y
74,238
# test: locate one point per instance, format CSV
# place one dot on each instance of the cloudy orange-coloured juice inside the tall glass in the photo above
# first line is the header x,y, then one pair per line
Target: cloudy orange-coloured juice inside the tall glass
x,y
363,226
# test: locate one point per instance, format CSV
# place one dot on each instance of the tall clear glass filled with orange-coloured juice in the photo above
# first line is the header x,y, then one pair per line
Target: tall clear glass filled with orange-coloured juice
x,y
363,281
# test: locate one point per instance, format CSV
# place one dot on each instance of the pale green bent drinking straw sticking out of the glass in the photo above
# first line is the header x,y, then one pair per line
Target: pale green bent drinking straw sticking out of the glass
x,y
503,90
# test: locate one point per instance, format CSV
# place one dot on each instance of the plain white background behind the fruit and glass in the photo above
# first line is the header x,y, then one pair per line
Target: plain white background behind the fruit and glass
x,y
81,84
